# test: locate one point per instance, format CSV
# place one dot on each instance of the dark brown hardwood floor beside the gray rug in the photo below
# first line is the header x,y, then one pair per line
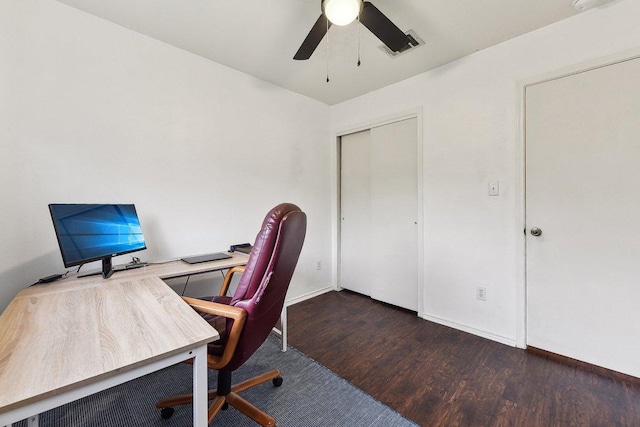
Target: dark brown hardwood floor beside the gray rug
x,y
438,376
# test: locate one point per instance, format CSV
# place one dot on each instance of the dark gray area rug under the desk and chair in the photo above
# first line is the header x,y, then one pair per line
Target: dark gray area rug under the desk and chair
x,y
311,395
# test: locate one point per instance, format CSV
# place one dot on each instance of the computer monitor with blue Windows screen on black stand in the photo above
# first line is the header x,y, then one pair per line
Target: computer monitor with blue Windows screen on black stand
x,y
96,232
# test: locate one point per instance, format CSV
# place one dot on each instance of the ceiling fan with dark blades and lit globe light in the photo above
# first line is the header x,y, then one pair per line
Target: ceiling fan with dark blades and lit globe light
x,y
343,12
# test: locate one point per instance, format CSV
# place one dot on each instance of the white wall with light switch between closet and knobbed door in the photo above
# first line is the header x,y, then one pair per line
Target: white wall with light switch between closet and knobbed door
x,y
470,137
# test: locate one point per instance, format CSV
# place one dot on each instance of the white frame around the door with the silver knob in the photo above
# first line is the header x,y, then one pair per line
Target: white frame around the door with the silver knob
x,y
521,271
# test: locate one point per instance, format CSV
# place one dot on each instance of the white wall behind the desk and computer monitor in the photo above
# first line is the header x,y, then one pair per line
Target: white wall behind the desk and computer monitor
x,y
93,112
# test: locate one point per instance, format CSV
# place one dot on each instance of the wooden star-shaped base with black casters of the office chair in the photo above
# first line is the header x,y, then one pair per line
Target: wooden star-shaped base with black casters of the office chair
x,y
231,397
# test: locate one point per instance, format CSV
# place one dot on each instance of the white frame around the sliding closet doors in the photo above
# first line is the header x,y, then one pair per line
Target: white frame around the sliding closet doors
x,y
409,114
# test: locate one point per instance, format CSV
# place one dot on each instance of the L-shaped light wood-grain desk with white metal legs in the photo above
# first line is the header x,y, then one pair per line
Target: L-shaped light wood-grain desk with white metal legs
x,y
71,338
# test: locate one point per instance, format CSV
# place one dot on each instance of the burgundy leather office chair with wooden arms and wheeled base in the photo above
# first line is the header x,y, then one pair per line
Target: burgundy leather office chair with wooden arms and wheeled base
x,y
246,319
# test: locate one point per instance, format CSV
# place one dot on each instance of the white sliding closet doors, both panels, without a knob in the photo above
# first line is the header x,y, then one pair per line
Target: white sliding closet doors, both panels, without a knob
x,y
379,210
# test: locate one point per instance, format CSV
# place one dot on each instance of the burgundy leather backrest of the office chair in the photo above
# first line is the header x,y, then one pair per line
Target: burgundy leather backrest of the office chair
x,y
263,285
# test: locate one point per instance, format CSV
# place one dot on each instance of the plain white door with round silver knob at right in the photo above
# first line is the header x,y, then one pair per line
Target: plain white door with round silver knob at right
x,y
582,192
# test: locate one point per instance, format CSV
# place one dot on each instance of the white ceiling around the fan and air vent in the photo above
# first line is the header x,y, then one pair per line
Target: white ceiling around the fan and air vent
x,y
260,37
